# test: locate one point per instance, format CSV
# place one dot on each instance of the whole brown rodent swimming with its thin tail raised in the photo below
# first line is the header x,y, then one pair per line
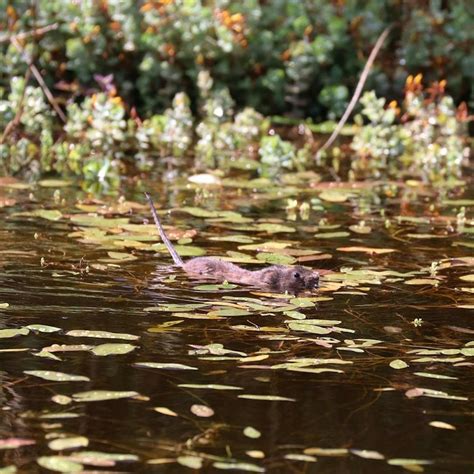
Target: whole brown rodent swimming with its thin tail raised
x,y
276,277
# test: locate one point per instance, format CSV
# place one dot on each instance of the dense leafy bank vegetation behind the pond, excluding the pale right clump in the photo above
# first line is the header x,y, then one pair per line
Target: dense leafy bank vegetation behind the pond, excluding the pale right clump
x,y
155,78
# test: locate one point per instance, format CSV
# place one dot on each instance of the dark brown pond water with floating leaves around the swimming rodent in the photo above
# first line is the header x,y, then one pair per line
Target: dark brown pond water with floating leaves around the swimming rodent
x,y
111,360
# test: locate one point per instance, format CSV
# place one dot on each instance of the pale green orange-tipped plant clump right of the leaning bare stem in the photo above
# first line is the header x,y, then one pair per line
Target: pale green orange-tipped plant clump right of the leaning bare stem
x,y
428,140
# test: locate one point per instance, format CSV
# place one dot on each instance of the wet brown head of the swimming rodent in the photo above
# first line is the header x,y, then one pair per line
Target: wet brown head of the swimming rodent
x,y
294,280
